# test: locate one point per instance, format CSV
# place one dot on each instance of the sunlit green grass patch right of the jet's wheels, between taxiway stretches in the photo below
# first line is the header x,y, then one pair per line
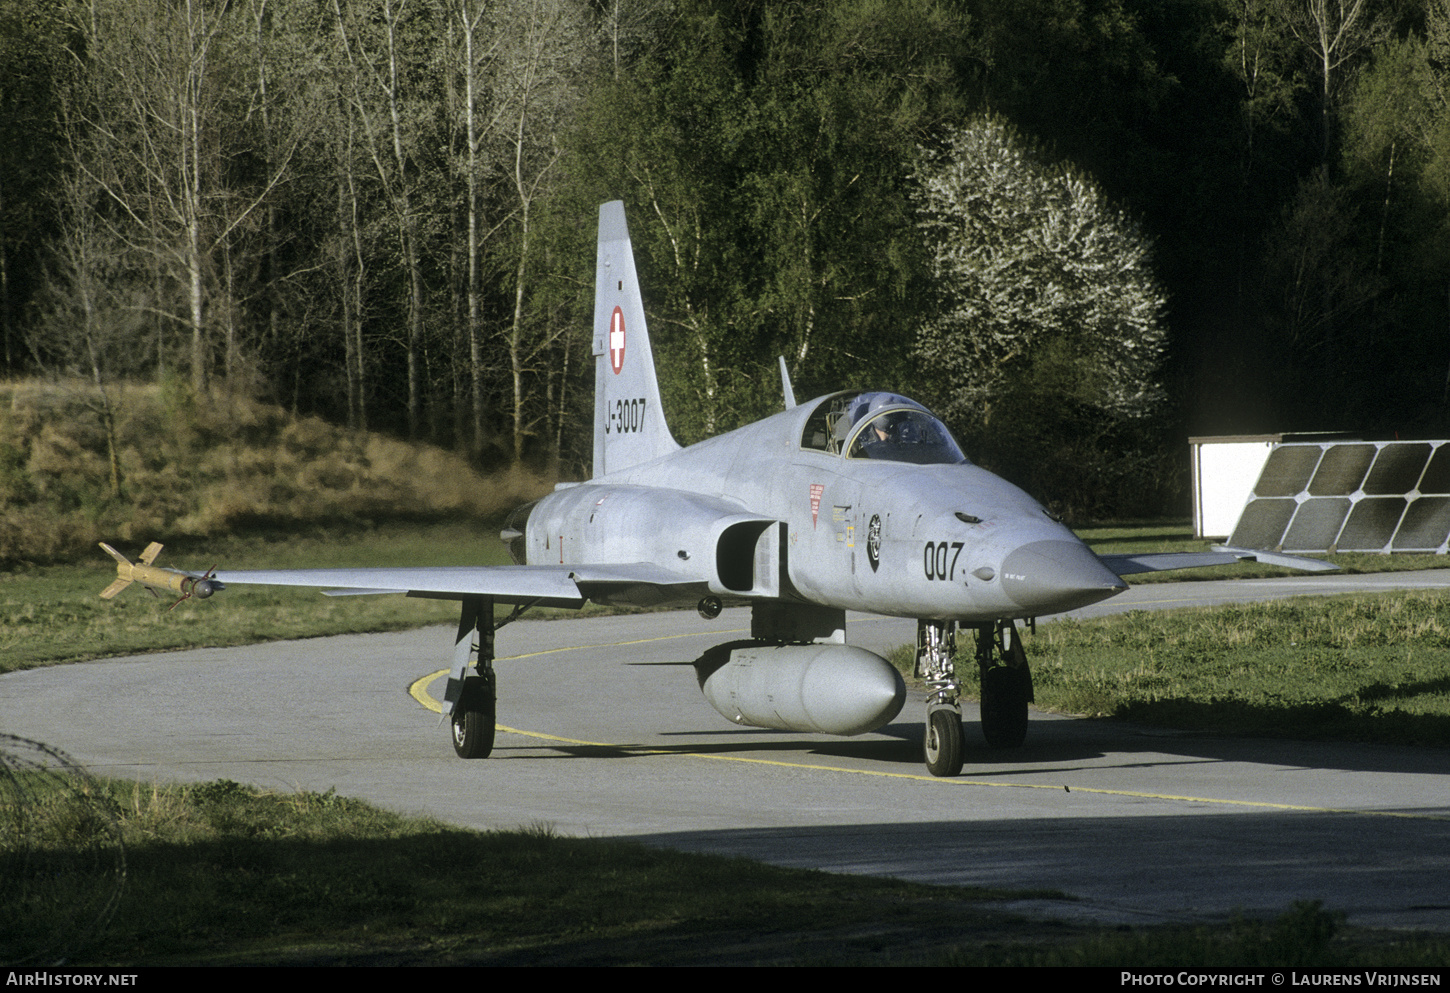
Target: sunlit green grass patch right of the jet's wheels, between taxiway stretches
x,y
1374,668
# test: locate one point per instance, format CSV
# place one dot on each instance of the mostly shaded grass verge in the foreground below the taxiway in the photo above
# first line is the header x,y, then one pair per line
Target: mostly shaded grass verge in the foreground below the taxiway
x,y
224,875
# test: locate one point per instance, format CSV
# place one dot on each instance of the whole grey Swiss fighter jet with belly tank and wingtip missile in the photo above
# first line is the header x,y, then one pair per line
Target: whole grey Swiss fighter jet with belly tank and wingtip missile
x,y
856,501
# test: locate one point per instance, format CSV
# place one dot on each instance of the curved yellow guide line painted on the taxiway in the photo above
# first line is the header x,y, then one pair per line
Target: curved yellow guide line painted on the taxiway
x,y
420,692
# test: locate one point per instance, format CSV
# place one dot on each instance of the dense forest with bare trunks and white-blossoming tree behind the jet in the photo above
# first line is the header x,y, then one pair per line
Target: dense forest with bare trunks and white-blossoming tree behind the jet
x,y
382,211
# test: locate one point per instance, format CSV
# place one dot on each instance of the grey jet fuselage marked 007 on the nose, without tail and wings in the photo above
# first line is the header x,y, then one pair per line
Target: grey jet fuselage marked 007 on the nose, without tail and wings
x,y
759,512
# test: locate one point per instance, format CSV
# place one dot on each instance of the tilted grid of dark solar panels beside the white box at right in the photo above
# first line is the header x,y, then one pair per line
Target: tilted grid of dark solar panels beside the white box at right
x,y
1364,496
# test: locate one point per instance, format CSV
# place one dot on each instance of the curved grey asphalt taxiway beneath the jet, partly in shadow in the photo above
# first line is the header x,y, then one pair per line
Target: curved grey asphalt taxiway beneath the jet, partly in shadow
x,y
604,733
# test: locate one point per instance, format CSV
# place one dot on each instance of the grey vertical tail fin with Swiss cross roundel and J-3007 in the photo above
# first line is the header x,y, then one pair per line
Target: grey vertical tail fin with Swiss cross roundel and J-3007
x,y
630,424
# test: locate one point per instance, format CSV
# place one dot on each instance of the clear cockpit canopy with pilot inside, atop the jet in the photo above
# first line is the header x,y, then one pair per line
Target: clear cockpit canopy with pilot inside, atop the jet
x,y
884,427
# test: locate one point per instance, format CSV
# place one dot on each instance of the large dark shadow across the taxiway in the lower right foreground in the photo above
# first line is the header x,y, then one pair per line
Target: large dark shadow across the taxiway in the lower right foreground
x,y
1138,869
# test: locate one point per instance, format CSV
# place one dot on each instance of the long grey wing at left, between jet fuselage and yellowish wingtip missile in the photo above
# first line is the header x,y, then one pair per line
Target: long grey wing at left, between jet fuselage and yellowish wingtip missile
x,y
559,586
